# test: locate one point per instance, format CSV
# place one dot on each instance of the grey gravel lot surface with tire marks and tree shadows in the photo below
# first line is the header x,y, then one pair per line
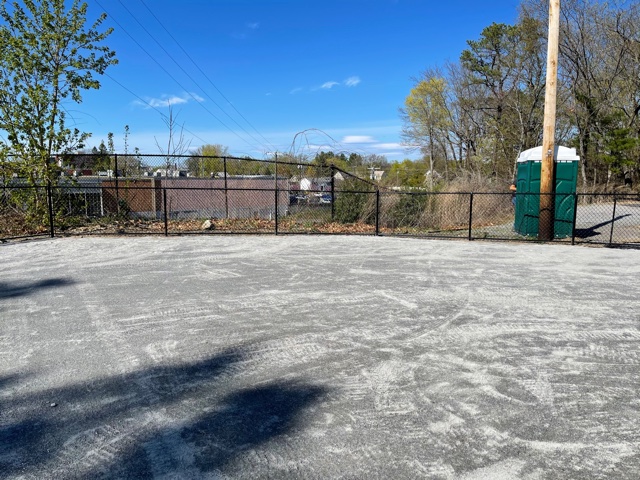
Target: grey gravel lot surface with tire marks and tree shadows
x,y
318,357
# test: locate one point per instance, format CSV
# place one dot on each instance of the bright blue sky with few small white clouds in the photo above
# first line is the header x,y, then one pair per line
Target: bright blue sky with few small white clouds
x,y
251,74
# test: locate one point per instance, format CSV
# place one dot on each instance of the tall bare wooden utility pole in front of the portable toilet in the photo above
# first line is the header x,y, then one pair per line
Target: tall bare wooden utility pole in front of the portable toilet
x,y
547,184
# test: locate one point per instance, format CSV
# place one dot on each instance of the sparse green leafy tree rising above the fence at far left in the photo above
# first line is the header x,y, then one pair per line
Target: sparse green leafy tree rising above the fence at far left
x,y
48,58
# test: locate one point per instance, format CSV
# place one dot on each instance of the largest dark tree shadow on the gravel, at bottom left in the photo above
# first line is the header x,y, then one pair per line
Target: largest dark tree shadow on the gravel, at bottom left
x,y
168,421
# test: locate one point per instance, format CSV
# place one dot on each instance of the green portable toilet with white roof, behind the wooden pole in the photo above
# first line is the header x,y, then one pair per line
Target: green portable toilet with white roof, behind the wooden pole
x,y
528,191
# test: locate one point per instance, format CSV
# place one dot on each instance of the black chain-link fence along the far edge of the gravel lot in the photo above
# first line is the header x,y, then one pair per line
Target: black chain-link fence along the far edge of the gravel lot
x,y
216,195
